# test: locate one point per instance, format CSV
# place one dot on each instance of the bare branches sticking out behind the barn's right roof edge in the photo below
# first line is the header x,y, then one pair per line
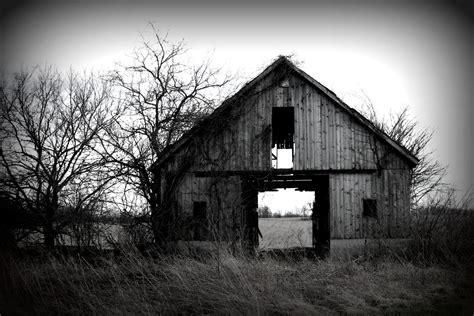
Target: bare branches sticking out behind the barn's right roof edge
x,y
427,176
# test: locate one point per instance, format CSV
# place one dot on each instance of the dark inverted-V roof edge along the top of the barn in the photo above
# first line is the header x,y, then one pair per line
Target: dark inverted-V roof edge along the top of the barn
x,y
283,61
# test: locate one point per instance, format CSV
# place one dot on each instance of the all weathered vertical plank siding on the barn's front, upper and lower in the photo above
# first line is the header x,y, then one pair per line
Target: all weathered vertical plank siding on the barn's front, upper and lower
x,y
326,137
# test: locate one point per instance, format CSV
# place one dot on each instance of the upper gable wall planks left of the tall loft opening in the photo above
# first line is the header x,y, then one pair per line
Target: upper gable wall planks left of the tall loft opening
x,y
240,140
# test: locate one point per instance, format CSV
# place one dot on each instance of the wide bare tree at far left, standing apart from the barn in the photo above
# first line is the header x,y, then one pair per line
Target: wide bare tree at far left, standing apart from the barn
x,y
50,133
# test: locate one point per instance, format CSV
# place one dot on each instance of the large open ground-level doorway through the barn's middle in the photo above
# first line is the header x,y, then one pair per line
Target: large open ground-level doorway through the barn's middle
x,y
316,189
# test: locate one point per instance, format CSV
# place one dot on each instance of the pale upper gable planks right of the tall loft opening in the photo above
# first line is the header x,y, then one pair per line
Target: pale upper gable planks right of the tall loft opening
x,y
327,137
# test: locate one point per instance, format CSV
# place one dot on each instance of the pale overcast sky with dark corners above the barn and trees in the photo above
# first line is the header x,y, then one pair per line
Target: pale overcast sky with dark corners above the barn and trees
x,y
416,54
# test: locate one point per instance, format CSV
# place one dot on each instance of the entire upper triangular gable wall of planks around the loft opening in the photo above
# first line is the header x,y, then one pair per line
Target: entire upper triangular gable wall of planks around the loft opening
x,y
326,136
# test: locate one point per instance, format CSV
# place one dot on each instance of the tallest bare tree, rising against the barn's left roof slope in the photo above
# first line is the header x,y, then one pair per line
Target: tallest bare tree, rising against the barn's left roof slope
x,y
162,96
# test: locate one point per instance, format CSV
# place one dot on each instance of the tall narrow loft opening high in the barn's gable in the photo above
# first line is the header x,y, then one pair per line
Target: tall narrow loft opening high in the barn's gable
x,y
283,129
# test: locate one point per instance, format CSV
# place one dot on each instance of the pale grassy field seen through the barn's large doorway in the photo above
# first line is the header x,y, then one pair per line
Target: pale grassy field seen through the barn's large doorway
x,y
285,232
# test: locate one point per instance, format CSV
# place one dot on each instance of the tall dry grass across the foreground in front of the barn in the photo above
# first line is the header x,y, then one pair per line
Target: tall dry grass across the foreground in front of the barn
x,y
133,284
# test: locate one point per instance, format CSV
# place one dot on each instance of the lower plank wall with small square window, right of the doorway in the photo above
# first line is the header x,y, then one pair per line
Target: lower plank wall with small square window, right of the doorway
x,y
389,188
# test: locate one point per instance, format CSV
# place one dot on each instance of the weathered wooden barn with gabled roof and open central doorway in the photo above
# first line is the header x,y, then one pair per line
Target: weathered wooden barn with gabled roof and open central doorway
x,y
284,129
